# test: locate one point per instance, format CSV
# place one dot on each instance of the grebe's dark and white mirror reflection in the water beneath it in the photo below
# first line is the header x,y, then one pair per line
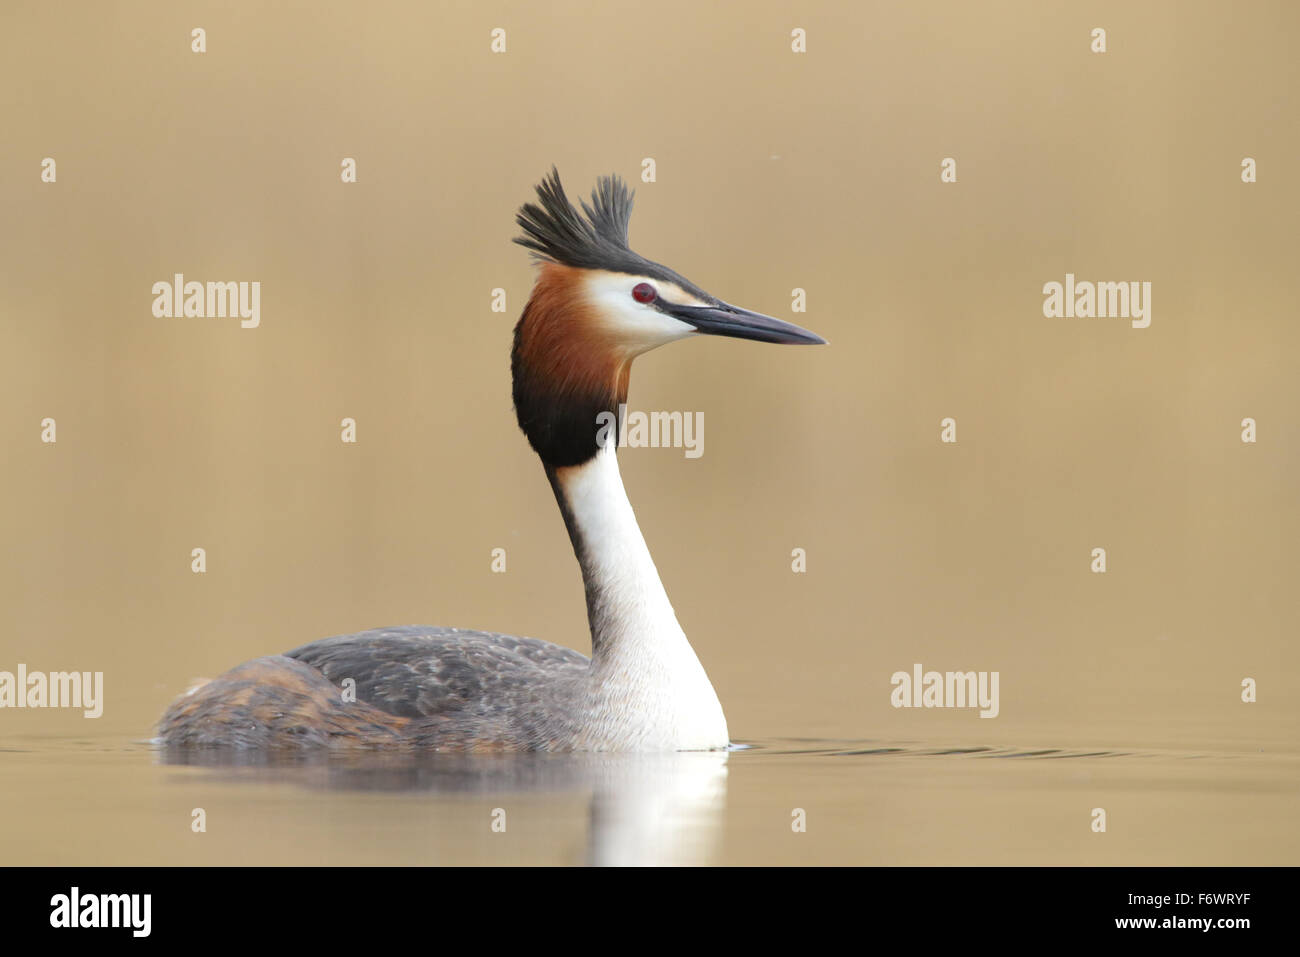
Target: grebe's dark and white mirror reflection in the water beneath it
x,y
644,809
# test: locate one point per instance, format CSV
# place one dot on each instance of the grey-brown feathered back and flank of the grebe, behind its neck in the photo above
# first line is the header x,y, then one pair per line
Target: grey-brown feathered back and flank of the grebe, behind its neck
x,y
415,687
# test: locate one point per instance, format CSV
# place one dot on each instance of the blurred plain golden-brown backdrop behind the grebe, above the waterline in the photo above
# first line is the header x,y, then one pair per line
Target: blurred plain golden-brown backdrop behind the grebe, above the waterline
x,y
775,171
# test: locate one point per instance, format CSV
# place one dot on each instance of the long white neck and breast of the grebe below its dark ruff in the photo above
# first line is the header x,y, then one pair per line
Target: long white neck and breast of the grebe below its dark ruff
x,y
648,690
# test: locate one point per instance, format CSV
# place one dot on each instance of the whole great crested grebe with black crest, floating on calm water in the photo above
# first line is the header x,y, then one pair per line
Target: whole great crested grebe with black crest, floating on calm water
x,y
595,308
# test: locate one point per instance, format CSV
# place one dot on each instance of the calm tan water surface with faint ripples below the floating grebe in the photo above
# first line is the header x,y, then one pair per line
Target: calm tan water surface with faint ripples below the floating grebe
x,y
102,802
